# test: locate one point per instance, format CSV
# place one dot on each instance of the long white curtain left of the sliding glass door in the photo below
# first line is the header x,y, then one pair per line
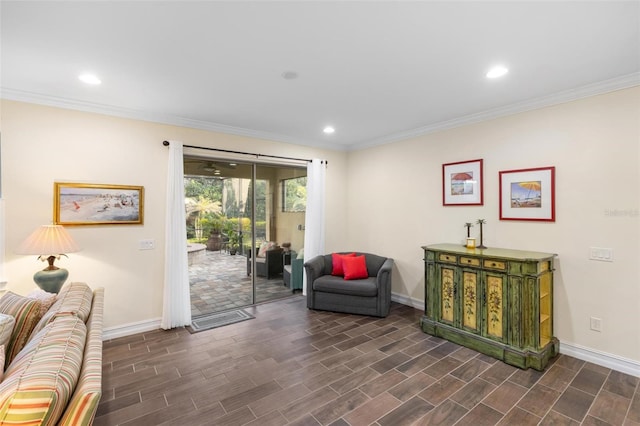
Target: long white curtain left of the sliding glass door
x,y
176,310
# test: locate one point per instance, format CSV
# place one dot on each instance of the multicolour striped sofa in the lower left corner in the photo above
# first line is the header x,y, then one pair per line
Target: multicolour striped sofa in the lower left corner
x,y
53,362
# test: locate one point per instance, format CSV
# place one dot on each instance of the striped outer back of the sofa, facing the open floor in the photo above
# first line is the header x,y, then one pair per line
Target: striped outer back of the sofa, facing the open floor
x,y
84,403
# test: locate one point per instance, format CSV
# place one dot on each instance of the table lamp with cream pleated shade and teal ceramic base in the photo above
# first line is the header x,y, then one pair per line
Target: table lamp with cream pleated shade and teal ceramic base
x,y
49,242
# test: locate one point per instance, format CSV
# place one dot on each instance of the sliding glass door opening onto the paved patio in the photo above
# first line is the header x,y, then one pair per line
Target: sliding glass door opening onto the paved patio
x,y
241,231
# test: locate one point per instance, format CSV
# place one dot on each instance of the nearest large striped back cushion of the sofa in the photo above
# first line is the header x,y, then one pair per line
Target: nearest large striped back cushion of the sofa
x,y
40,380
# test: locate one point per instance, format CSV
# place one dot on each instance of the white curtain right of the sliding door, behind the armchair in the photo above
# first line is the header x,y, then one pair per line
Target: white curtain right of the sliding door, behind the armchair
x,y
314,216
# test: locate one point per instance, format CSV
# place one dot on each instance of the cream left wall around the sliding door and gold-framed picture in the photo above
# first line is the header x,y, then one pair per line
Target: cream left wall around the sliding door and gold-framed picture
x,y
41,145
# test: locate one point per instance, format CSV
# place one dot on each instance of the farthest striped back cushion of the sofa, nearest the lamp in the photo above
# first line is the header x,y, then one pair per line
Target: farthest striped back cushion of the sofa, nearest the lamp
x,y
74,298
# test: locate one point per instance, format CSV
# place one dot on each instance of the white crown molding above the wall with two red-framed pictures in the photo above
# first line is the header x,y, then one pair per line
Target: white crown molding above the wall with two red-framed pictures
x,y
605,86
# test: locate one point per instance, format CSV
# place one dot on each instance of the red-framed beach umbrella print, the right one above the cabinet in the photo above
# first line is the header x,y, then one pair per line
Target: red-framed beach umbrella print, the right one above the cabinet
x,y
528,194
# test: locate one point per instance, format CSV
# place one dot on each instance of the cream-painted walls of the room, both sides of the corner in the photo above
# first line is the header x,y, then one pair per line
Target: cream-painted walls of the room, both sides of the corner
x,y
386,200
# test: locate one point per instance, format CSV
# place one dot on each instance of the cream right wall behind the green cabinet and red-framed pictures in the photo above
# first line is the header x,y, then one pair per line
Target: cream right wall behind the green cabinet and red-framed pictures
x,y
594,145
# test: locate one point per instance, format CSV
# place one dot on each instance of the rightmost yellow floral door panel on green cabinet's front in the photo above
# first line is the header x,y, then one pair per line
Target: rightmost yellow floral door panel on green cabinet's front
x,y
494,308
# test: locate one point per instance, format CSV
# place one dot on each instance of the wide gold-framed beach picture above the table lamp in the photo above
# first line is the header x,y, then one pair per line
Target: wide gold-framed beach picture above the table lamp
x,y
96,204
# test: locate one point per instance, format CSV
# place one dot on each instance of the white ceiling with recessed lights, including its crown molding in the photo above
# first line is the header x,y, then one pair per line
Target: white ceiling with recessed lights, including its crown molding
x,y
376,71
